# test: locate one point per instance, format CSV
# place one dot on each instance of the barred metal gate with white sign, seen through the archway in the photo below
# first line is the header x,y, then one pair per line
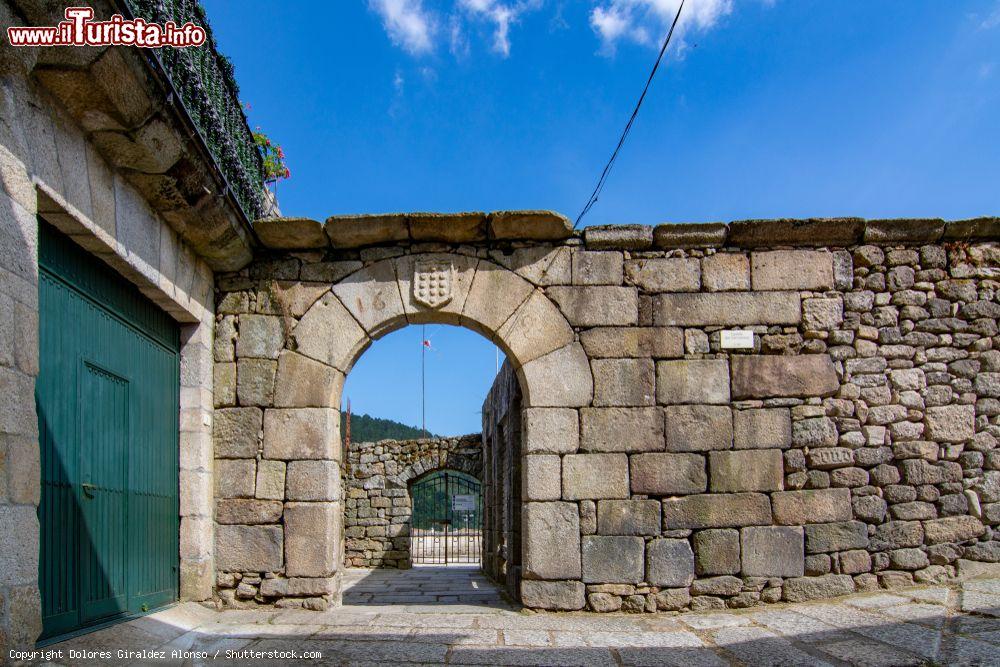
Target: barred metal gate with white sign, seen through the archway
x,y
446,524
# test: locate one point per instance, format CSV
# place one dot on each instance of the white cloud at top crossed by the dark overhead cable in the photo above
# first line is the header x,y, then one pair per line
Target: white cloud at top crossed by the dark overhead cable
x,y
647,21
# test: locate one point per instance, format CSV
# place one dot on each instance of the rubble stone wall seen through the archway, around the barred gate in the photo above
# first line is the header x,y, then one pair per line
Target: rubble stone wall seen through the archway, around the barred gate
x,y
378,505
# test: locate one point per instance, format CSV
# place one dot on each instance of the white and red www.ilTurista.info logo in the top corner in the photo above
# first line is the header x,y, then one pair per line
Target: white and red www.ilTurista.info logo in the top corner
x,y
80,30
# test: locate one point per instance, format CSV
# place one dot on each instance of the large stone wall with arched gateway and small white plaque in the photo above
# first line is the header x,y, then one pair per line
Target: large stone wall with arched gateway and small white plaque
x,y
849,447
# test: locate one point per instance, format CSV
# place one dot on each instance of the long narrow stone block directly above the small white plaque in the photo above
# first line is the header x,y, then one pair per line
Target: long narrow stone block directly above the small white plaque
x,y
726,309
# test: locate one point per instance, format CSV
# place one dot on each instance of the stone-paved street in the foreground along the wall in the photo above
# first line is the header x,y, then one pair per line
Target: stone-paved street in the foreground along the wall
x,y
931,625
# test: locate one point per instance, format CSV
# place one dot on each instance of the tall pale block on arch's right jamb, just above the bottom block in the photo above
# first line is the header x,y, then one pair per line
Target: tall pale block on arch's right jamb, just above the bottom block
x,y
551,540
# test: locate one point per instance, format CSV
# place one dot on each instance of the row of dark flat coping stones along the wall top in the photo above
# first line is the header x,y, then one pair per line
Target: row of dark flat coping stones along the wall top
x,y
357,231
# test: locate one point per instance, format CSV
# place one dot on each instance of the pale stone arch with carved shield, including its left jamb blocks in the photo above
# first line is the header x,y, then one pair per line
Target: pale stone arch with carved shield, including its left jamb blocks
x,y
302,427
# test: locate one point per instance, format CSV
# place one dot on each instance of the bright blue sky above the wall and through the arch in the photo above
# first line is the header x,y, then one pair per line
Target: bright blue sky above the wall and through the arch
x,y
764,108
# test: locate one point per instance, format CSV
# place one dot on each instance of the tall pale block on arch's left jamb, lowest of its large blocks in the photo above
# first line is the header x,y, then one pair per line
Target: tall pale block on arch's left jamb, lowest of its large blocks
x,y
312,532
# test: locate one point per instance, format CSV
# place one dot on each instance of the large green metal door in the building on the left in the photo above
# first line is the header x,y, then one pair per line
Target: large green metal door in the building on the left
x,y
107,398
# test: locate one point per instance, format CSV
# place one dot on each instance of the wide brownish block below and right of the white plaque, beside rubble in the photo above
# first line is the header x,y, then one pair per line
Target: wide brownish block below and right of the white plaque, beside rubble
x,y
767,376
